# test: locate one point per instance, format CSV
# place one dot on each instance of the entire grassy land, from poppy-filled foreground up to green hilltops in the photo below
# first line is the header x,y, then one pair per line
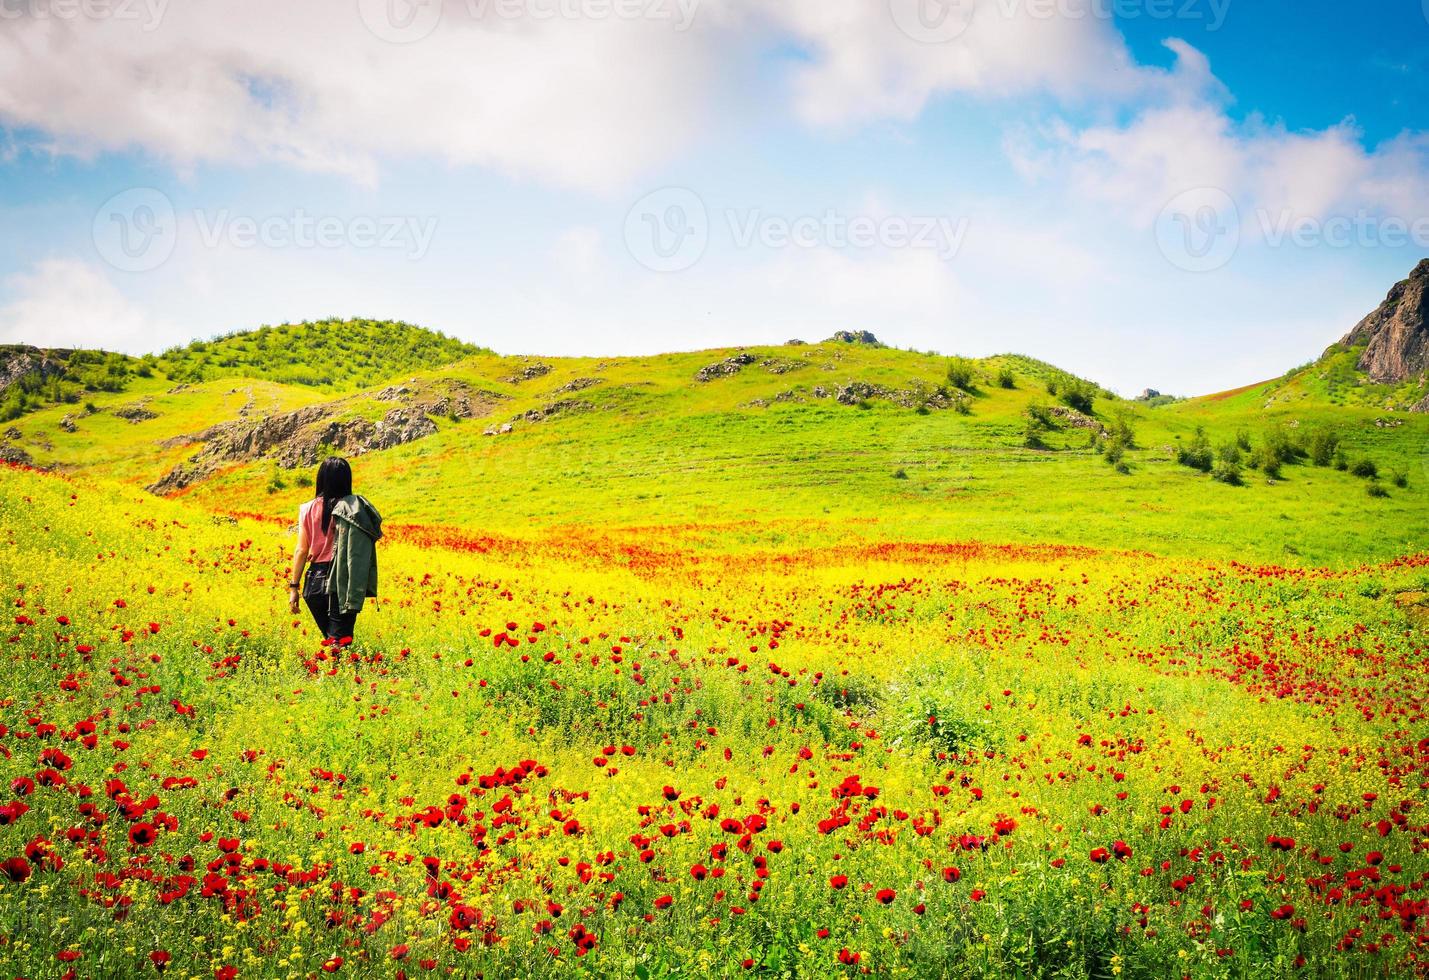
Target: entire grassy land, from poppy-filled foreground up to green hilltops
x,y
805,666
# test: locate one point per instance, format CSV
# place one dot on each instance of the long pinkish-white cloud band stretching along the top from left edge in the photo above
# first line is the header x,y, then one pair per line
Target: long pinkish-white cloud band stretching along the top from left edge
x,y
585,102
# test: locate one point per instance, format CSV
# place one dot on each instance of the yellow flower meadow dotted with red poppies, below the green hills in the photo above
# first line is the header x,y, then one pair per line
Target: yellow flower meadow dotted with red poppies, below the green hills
x,y
677,752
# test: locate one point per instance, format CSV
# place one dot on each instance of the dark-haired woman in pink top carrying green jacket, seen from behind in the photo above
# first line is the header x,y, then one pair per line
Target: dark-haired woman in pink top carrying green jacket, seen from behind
x,y
338,534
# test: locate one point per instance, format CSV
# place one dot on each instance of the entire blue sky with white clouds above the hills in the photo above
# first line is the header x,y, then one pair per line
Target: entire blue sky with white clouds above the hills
x,y
1188,195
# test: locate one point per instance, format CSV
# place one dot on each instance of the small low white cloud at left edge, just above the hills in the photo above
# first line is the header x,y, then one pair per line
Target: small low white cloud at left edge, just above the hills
x,y
69,304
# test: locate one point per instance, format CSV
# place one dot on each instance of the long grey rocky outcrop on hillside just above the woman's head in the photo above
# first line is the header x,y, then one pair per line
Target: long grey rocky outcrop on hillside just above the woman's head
x,y
305,436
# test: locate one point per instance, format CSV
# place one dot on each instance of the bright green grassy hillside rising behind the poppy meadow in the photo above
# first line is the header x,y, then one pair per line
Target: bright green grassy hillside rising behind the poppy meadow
x,y
697,438
